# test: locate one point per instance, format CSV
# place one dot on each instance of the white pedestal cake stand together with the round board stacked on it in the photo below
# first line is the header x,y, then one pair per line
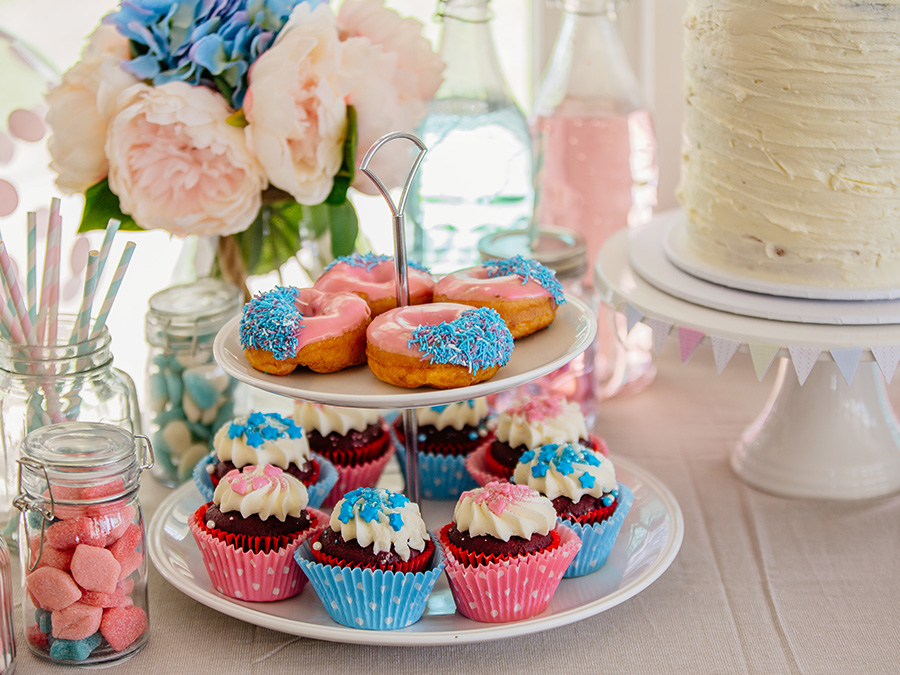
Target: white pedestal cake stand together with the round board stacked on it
x,y
824,439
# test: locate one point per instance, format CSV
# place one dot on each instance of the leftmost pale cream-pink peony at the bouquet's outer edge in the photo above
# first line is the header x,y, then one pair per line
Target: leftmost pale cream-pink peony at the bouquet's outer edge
x,y
81,106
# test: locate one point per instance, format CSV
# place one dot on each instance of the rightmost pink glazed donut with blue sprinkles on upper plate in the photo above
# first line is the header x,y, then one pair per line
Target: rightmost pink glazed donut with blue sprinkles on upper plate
x,y
523,291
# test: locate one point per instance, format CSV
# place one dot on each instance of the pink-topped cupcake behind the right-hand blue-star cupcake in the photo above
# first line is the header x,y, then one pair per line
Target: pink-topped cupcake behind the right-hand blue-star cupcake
x,y
527,425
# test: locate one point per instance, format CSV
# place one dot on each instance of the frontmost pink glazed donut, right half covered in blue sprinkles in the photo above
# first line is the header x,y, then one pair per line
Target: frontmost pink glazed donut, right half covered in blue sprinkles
x,y
441,345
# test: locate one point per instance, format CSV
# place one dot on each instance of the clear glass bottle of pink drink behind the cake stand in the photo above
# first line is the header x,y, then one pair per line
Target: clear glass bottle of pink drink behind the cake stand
x,y
596,163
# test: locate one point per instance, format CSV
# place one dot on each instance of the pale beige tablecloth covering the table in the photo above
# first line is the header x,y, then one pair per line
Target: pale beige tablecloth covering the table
x,y
761,585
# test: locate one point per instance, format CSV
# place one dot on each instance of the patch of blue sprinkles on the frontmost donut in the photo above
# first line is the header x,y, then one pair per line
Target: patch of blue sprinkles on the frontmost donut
x,y
478,339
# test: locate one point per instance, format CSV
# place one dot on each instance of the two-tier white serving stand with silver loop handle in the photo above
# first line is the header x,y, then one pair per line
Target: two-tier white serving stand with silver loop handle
x,y
648,543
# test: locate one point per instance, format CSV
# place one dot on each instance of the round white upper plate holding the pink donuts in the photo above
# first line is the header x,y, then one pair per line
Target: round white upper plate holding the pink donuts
x,y
545,351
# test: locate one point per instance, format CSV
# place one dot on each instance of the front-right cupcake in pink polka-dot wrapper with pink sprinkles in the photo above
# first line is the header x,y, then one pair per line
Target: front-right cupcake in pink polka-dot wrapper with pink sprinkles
x,y
506,552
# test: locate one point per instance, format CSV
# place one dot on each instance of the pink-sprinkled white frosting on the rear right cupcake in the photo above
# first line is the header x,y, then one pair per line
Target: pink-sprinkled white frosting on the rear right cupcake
x,y
540,421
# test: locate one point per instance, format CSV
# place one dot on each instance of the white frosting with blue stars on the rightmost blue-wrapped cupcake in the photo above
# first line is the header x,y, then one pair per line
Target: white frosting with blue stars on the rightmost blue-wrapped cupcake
x,y
568,470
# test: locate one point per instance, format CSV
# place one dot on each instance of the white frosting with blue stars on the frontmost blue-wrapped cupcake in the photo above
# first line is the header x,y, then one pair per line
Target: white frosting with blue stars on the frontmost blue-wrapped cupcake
x,y
385,519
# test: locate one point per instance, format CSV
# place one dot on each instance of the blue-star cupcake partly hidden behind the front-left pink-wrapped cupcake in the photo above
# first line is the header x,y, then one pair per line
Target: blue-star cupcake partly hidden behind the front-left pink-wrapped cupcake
x,y
265,438
